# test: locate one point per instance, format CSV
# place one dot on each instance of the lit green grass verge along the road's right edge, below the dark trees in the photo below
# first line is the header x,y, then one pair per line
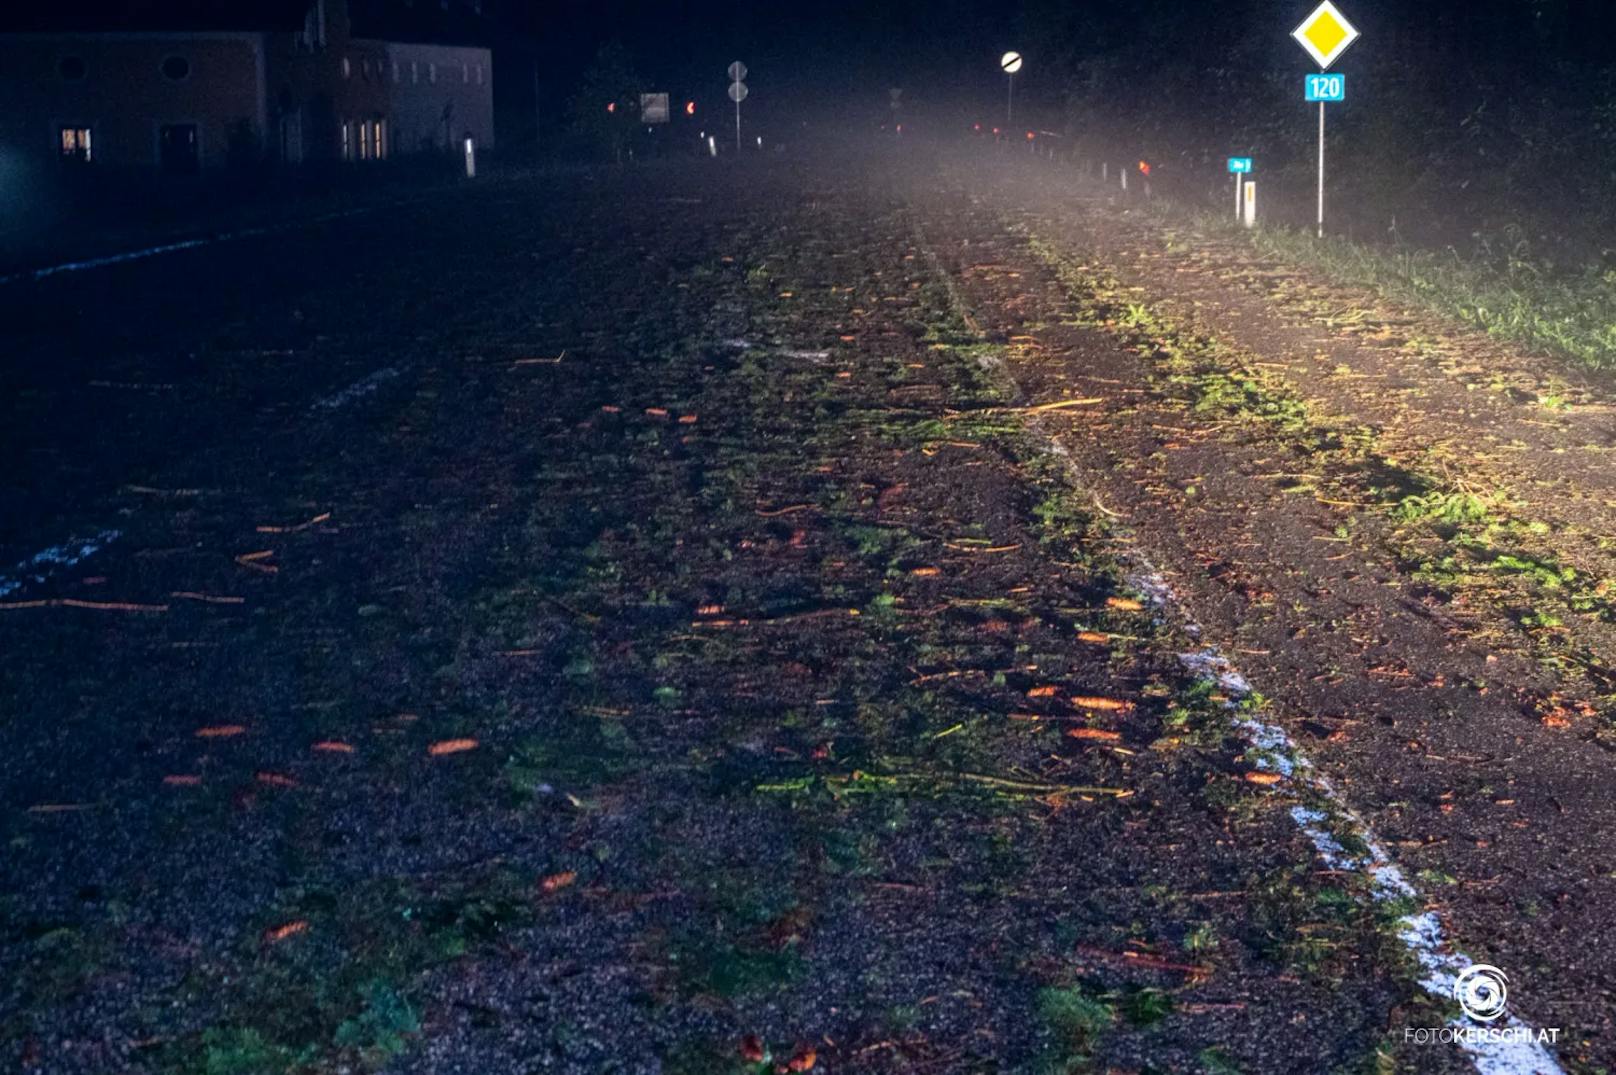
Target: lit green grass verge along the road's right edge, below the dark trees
x,y
1562,311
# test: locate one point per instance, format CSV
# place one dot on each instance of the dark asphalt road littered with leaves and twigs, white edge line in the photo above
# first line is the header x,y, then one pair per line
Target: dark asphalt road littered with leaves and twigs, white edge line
x,y
907,610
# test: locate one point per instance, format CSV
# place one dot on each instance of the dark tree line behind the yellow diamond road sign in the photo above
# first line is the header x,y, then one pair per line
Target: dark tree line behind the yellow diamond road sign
x,y
1478,124
